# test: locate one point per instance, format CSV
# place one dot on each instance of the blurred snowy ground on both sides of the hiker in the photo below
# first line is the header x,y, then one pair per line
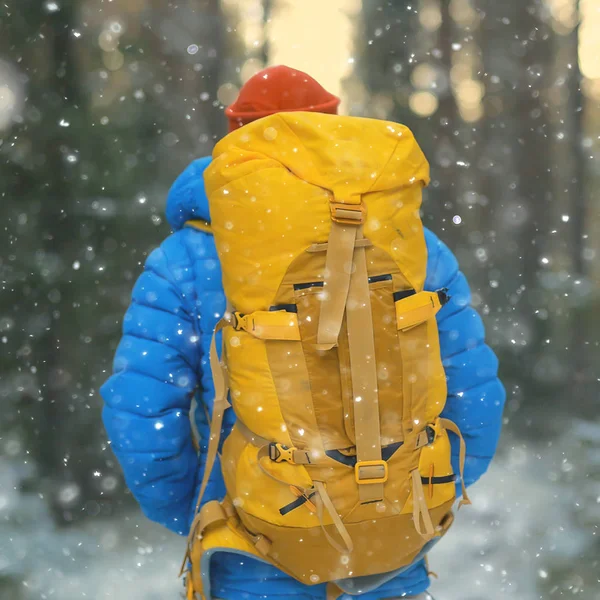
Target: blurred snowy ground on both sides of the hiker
x,y
532,534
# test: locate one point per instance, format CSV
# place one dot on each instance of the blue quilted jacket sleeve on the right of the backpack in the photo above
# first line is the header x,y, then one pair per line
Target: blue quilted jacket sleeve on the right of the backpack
x,y
475,394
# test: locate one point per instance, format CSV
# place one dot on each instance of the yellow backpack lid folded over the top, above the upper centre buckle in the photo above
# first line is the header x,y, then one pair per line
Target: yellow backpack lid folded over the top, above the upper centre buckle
x,y
349,156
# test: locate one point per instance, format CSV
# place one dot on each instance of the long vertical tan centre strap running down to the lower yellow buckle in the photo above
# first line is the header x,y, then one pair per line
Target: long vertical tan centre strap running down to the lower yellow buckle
x,y
364,378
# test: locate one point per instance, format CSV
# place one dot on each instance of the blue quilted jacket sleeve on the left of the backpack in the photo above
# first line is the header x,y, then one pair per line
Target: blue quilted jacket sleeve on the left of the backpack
x,y
148,397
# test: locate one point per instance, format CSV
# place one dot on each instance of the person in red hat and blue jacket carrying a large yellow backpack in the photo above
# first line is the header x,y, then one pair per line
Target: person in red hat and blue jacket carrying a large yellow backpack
x,y
365,397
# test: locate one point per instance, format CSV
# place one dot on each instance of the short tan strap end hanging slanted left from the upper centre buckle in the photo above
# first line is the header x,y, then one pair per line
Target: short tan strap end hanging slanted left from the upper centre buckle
x,y
338,265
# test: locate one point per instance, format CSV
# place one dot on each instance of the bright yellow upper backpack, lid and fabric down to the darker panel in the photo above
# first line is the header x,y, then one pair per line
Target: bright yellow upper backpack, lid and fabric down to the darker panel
x,y
272,182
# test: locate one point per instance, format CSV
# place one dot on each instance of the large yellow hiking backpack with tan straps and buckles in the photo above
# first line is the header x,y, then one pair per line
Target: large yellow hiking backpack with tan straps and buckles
x,y
338,467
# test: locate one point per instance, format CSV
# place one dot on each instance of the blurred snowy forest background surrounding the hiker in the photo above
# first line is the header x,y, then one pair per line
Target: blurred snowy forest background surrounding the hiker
x,y
104,102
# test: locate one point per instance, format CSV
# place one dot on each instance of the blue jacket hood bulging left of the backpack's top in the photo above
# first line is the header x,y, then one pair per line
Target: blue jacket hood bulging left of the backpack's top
x,y
187,197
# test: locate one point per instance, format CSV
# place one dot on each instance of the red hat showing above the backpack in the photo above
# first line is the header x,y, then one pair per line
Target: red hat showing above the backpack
x,y
279,89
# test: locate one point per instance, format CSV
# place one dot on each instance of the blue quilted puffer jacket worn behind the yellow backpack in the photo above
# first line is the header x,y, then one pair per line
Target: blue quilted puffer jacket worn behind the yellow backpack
x,y
162,361
